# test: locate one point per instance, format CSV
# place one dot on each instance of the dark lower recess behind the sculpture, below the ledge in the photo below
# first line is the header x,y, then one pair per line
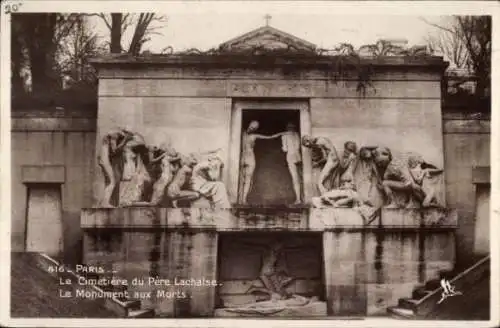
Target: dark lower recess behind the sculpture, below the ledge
x,y
242,257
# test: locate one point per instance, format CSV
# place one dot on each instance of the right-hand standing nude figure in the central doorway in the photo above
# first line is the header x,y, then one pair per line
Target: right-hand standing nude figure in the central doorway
x,y
291,146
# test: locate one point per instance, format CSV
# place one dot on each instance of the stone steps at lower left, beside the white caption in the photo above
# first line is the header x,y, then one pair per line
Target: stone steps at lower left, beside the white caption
x,y
125,308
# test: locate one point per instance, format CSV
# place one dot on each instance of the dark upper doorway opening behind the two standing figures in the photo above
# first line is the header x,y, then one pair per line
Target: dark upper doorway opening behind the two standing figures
x,y
272,182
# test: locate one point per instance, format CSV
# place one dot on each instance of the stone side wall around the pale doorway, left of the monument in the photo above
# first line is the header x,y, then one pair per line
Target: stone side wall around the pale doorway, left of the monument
x,y
52,149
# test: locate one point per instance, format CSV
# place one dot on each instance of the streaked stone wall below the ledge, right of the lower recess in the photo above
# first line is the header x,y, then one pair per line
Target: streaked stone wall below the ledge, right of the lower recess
x,y
365,272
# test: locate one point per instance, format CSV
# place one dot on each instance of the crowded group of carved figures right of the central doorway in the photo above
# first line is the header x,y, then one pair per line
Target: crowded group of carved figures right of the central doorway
x,y
371,178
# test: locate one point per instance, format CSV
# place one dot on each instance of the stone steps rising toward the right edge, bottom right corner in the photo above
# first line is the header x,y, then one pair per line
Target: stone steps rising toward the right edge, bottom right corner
x,y
424,297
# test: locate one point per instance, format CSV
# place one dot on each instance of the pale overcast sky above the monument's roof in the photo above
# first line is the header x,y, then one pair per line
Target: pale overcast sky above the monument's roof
x,y
206,30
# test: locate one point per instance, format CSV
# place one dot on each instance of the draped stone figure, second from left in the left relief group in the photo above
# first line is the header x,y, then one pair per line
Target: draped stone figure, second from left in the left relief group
x,y
134,173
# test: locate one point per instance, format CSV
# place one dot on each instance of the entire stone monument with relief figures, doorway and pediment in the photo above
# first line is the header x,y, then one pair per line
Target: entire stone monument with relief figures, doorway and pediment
x,y
274,169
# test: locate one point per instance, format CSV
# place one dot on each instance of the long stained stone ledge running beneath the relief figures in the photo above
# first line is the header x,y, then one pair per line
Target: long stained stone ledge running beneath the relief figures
x,y
271,219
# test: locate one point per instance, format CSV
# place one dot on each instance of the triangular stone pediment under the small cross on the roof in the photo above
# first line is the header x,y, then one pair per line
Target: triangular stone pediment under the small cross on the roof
x,y
267,38
